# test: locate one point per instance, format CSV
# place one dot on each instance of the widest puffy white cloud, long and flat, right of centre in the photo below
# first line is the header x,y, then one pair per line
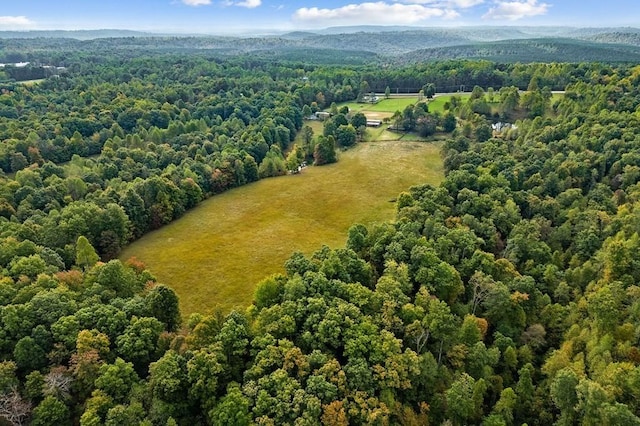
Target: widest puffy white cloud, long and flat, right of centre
x,y
378,13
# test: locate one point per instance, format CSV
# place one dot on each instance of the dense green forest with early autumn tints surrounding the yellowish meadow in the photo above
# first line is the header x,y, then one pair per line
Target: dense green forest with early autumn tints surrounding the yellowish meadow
x,y
506,295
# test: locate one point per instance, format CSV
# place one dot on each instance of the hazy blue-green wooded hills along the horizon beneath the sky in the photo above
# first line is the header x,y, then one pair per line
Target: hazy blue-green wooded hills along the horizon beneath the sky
x,y
362,43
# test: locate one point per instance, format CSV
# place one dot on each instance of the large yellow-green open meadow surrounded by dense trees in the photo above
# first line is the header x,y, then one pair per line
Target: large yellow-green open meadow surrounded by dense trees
x,y
215,255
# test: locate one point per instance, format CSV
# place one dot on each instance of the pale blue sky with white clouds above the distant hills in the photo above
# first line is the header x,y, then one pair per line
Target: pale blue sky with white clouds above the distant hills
x,y
225,16
